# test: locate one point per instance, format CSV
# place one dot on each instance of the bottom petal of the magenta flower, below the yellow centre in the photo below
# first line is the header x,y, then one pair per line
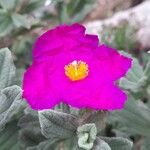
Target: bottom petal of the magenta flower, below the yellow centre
x,y
102,97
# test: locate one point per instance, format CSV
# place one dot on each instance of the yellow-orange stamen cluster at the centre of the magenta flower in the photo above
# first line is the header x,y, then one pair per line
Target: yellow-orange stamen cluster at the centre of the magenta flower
x,y
76,70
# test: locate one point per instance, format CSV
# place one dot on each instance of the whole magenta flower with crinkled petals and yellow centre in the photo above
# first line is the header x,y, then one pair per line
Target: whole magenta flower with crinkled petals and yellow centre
x,y
70,66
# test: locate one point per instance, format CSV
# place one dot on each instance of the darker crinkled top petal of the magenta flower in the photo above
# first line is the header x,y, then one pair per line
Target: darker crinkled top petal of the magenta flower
x,y
69,37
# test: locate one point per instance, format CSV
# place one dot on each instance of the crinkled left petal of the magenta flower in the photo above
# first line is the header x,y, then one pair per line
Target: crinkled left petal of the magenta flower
x,y
38,88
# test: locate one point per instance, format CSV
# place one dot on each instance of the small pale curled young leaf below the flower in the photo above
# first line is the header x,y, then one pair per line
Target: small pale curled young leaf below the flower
x,y
86,136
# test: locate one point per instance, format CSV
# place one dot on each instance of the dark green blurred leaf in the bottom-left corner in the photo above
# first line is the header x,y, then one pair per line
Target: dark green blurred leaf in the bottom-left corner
x,y
9,137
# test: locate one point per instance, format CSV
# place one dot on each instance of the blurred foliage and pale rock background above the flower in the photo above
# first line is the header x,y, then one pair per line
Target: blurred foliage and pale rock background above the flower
x,y
116,22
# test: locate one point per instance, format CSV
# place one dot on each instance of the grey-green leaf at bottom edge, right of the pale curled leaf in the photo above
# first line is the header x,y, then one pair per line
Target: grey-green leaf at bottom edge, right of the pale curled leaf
x,y
118,143
